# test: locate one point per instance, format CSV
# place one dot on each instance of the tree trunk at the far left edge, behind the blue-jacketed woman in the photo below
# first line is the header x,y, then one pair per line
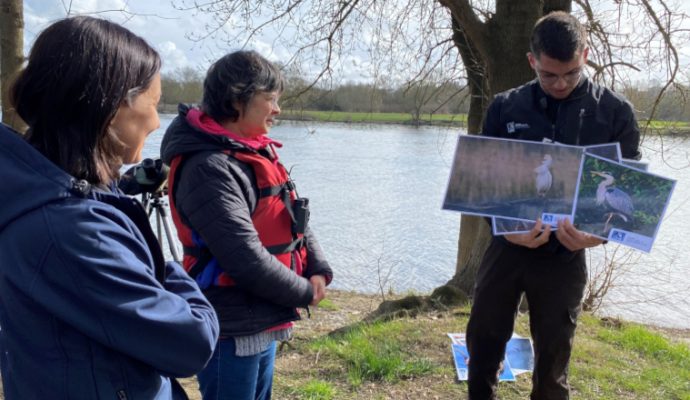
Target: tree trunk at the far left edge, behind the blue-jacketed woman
x,y
11,55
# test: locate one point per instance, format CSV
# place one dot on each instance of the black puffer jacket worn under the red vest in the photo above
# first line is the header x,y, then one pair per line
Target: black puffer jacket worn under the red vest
x,y
215,195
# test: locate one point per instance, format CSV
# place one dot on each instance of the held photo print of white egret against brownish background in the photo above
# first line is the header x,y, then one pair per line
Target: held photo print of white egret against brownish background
x,y
512,178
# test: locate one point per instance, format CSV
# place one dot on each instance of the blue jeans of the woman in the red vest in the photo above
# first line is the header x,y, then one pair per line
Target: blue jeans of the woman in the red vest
x,y
229,377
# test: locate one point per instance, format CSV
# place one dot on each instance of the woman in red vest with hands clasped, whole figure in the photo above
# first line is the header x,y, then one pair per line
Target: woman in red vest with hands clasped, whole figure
x,y
243,227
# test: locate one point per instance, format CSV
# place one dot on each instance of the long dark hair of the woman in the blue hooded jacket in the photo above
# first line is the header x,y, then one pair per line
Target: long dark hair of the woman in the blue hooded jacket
x,y
80,71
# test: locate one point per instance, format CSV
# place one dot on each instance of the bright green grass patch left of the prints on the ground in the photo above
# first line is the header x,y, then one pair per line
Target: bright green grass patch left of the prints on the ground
x,y
375,352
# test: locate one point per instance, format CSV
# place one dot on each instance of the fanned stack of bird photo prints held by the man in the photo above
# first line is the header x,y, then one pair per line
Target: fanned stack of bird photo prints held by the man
x,y
516,183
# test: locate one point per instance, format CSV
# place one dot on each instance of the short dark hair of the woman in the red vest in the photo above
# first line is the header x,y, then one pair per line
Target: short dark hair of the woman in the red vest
x,y
234,79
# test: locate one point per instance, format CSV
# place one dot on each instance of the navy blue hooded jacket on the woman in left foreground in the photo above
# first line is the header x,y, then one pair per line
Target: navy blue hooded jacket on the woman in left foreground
x,y
82,315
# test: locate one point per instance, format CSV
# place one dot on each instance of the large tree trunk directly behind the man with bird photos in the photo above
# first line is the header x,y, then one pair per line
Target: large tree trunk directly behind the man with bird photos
x,y
494,53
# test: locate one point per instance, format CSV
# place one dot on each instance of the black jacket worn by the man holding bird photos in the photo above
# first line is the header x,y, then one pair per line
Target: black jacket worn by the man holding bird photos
x,y
592,114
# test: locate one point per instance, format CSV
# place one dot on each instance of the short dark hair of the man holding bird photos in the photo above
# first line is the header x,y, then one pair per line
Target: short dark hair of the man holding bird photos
x,y
558,35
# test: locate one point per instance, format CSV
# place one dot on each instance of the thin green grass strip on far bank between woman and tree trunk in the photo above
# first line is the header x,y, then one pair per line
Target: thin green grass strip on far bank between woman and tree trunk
x,y
391,118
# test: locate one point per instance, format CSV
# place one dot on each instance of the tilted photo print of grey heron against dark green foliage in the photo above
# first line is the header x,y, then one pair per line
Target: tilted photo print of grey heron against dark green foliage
x,y
620,203
